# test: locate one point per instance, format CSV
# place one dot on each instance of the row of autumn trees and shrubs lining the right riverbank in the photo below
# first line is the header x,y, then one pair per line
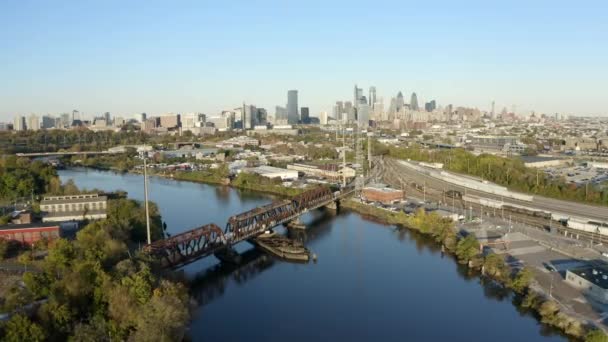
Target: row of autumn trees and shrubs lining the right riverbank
x,y
491,265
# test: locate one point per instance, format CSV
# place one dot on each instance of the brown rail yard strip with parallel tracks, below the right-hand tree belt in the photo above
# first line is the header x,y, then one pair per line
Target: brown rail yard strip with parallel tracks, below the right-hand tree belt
x,y
572,209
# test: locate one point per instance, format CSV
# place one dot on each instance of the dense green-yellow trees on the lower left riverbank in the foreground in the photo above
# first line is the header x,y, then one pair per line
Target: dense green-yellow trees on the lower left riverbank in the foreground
x,y
96,288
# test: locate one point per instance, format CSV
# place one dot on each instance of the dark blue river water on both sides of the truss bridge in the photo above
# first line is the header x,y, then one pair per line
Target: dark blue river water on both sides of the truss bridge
x,y
370,282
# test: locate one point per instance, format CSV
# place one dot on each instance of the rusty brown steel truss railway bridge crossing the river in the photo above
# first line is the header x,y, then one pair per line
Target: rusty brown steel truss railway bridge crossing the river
x,y
187,247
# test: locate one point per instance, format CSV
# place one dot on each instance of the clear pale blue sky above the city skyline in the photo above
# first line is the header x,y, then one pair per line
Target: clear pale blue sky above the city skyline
x,y
129,57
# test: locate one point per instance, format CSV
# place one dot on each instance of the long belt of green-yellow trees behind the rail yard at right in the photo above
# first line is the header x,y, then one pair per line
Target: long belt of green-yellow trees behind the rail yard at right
x,y
510,172
